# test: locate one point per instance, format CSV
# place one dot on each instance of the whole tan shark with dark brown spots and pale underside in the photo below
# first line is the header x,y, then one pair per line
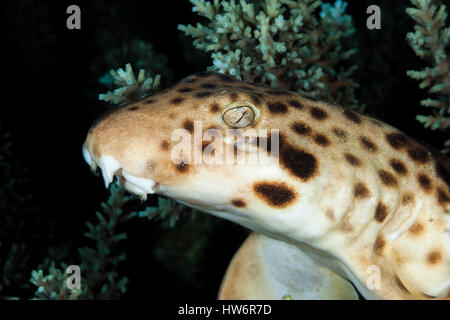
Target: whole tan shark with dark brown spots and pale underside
x,y
359,199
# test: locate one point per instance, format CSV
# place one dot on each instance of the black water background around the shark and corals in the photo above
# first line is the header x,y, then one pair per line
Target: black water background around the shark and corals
x,y
49,100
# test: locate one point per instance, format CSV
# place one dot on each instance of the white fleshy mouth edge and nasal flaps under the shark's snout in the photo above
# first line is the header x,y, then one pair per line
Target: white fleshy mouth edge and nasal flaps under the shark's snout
x,y
110,168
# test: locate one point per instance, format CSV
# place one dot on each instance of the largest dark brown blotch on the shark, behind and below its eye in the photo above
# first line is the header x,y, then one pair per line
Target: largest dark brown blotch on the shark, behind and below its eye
x,y
299,162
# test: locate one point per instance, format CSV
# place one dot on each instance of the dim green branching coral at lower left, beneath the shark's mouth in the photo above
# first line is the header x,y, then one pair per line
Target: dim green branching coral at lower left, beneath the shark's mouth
x,y
98,266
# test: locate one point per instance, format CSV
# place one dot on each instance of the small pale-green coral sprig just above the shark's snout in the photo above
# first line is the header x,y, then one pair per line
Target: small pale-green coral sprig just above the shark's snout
x,y
130,89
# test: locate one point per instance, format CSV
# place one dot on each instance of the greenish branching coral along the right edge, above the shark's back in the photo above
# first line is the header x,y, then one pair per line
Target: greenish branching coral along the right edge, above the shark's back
x,y
430,42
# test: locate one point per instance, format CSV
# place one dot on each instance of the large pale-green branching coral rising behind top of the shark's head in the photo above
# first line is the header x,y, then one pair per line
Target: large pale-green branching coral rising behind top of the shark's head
x,y
282,43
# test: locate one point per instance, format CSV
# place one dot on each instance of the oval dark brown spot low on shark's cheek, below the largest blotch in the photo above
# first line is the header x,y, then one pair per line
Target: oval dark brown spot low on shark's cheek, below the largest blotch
x,y
276,194
